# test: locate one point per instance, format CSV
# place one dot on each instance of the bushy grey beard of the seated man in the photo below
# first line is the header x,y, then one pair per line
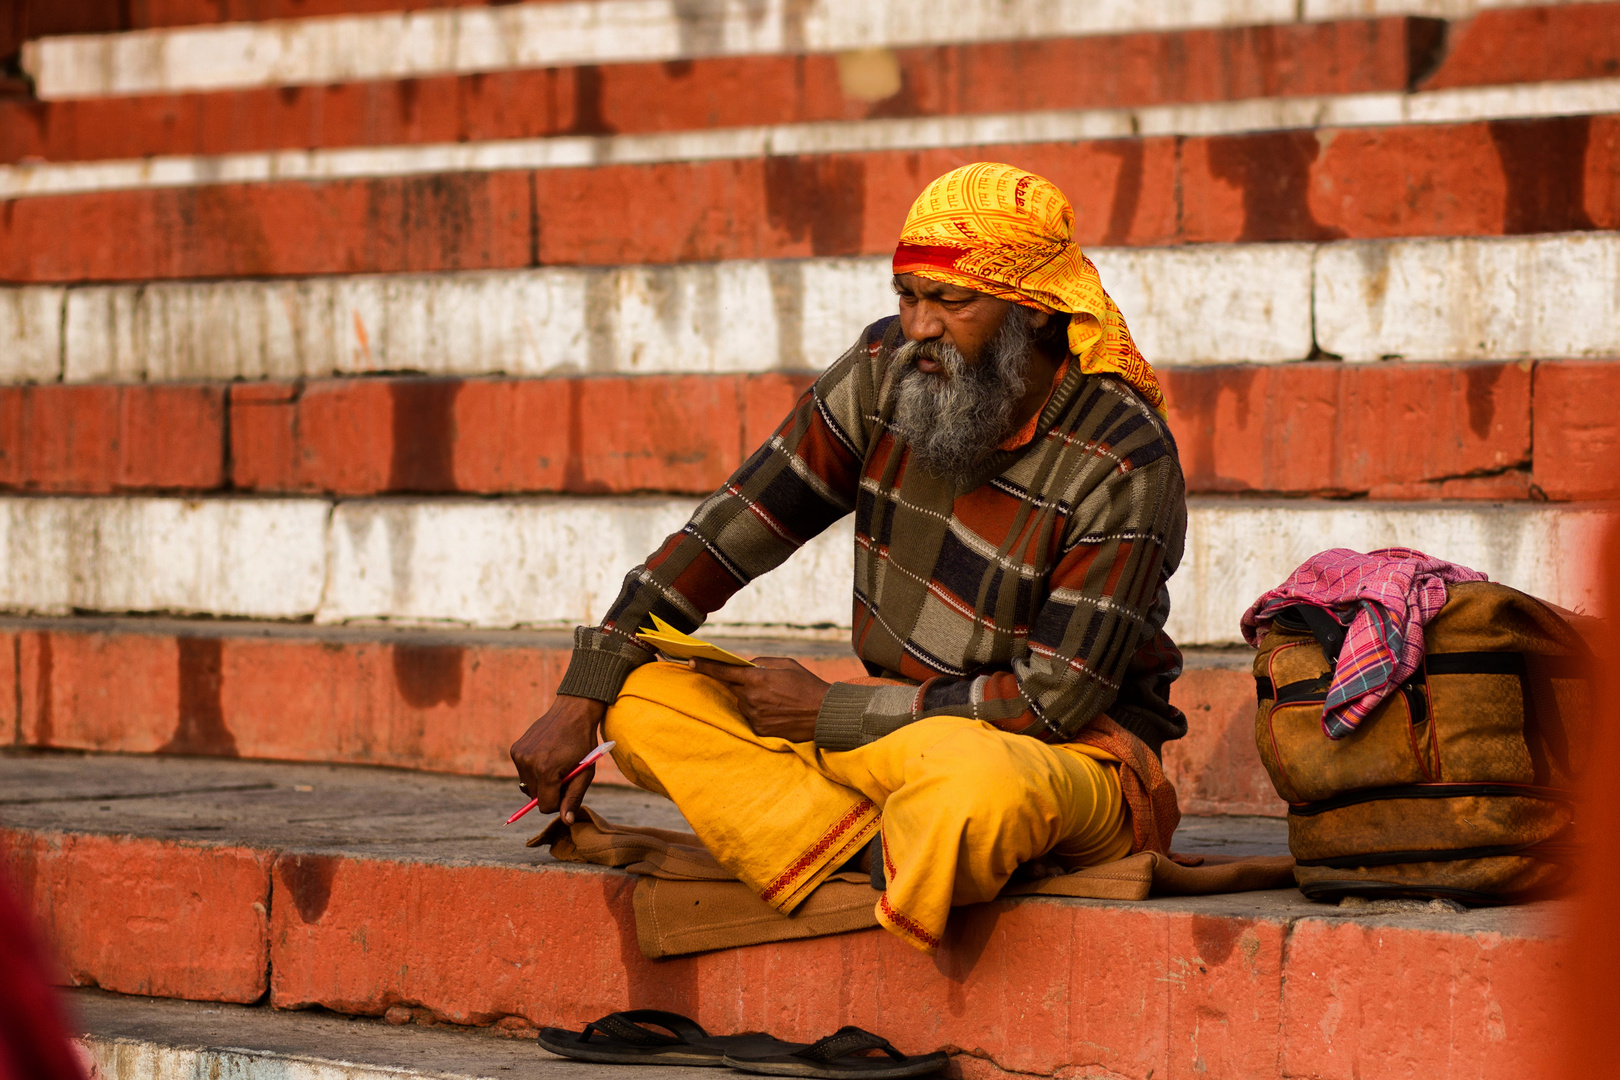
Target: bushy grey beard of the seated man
x,y
955,419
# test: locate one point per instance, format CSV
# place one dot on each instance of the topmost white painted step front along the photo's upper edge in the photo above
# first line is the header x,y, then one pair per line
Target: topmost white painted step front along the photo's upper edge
x,y
398,46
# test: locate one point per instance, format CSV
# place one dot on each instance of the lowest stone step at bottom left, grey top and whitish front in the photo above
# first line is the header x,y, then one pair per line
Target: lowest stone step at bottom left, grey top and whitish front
x,y
124,1034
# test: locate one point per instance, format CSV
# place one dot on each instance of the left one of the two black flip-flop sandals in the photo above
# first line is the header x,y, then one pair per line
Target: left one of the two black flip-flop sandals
x,y
620,1039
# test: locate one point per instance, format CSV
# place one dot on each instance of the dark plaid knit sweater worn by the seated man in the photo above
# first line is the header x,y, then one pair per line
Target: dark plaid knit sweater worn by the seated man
x,y
1031,595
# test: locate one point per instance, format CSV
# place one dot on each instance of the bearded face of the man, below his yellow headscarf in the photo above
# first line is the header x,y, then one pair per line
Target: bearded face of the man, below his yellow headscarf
x,y
961,373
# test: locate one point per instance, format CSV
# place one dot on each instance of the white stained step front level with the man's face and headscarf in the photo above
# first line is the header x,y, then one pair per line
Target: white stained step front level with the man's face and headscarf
x,y
1428,300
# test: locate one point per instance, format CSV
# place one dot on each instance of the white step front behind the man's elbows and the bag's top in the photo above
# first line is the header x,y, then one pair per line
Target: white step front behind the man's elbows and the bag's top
x,y
560,561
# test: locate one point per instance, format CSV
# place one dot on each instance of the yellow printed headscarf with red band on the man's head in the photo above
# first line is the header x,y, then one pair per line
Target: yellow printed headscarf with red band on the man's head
x,y
1007,232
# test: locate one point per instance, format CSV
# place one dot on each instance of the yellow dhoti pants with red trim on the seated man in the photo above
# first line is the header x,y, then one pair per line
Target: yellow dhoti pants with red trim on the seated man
x,y
960,804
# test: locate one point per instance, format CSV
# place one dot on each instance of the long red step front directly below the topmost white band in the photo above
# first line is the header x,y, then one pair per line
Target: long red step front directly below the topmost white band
x,y
1114,72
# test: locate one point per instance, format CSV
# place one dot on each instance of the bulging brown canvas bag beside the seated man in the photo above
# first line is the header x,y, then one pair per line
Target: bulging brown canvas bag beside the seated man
x,y
1459,784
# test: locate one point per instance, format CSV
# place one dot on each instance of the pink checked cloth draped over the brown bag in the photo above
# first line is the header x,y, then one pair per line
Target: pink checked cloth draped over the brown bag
x,y
1388,597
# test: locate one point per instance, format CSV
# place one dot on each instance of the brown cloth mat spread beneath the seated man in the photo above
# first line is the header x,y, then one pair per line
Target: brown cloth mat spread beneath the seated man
x,y
688,903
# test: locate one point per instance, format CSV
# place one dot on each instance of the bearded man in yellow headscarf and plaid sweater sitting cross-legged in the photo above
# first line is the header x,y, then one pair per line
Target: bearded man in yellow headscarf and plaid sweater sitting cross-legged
x,y
1018,511
